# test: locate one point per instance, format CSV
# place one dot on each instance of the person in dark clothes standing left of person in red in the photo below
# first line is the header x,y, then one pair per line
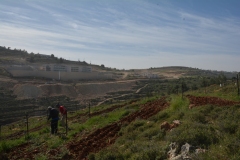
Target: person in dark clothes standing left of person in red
x,y
54,116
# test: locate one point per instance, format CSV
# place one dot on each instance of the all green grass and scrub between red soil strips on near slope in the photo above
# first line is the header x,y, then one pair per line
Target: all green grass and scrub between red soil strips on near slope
x,y
210,127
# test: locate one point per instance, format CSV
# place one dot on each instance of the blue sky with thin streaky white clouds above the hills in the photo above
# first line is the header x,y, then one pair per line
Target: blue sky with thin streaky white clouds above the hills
x,y
127,34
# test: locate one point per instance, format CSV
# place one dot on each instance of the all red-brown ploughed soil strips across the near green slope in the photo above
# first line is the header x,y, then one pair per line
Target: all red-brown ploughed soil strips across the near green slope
x,y
83,144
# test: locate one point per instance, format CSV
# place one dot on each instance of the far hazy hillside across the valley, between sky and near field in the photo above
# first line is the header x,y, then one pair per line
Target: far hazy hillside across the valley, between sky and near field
x,y
34,93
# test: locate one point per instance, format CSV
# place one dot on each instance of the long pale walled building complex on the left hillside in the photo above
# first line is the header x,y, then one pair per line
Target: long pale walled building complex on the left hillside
x,y
56,71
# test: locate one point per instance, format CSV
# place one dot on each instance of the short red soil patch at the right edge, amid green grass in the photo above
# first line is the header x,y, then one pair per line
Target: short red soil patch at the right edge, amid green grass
x,y
200,101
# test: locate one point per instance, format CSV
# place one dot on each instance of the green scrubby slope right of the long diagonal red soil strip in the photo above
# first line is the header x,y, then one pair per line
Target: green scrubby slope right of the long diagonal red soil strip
x,y
210,127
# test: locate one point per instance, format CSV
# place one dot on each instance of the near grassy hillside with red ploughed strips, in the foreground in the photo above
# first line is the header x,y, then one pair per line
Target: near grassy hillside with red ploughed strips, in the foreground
x,y
203,124
